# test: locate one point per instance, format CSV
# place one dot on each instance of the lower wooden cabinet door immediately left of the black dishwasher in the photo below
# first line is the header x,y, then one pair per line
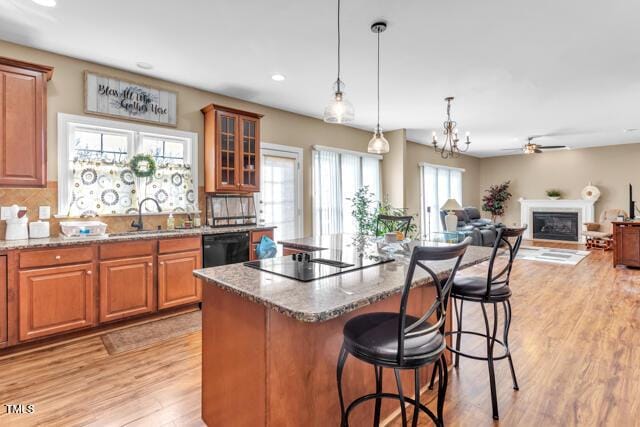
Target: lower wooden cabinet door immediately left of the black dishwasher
x,y
176,283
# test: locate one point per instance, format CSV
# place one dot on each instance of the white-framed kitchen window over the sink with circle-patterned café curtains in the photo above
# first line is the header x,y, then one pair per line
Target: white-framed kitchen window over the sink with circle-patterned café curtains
x,y
94,176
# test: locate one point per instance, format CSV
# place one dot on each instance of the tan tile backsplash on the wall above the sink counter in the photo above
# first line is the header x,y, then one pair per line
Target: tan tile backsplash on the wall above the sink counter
x,y
33,198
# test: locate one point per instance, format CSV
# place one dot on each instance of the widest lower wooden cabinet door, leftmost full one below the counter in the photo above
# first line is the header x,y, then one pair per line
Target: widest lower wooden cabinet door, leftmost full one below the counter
x,y
55,300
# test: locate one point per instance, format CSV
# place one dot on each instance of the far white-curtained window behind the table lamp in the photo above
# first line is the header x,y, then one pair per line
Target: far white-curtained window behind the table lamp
x,y
438,184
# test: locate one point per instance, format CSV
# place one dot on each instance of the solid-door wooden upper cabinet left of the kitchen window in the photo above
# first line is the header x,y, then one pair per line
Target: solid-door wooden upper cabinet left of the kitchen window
x,y
23,123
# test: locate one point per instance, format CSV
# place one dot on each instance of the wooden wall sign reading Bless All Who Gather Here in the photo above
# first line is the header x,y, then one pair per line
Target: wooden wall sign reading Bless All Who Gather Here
x,y
113,97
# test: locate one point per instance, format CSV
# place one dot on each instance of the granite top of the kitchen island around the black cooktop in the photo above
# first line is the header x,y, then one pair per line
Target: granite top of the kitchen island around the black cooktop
x,y
329,297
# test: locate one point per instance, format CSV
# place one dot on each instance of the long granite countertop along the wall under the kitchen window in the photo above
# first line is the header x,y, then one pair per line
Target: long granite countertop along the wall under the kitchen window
x,y
6,245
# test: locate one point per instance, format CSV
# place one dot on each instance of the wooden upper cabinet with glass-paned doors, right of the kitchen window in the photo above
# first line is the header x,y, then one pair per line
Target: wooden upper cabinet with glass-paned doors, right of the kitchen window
x,y
231,150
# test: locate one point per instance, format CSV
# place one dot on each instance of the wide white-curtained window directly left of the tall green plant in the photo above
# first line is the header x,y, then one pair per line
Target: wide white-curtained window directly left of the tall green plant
x,y
337,175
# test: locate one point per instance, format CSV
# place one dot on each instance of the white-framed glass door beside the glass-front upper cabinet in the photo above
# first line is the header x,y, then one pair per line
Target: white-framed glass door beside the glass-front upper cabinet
x,y
280,200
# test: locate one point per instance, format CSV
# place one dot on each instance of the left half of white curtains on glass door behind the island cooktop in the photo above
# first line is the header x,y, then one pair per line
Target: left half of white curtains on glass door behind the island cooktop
x,y
327,193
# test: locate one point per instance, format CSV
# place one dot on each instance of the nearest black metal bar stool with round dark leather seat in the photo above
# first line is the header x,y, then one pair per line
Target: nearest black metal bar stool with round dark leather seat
x,y
401,341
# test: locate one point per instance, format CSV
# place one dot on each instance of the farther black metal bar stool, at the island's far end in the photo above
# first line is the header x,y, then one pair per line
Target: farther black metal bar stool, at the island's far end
x,y
492,289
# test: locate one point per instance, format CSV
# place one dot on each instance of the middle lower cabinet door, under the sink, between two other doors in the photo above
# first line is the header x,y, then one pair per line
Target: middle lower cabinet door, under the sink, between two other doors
x,y
126,288
